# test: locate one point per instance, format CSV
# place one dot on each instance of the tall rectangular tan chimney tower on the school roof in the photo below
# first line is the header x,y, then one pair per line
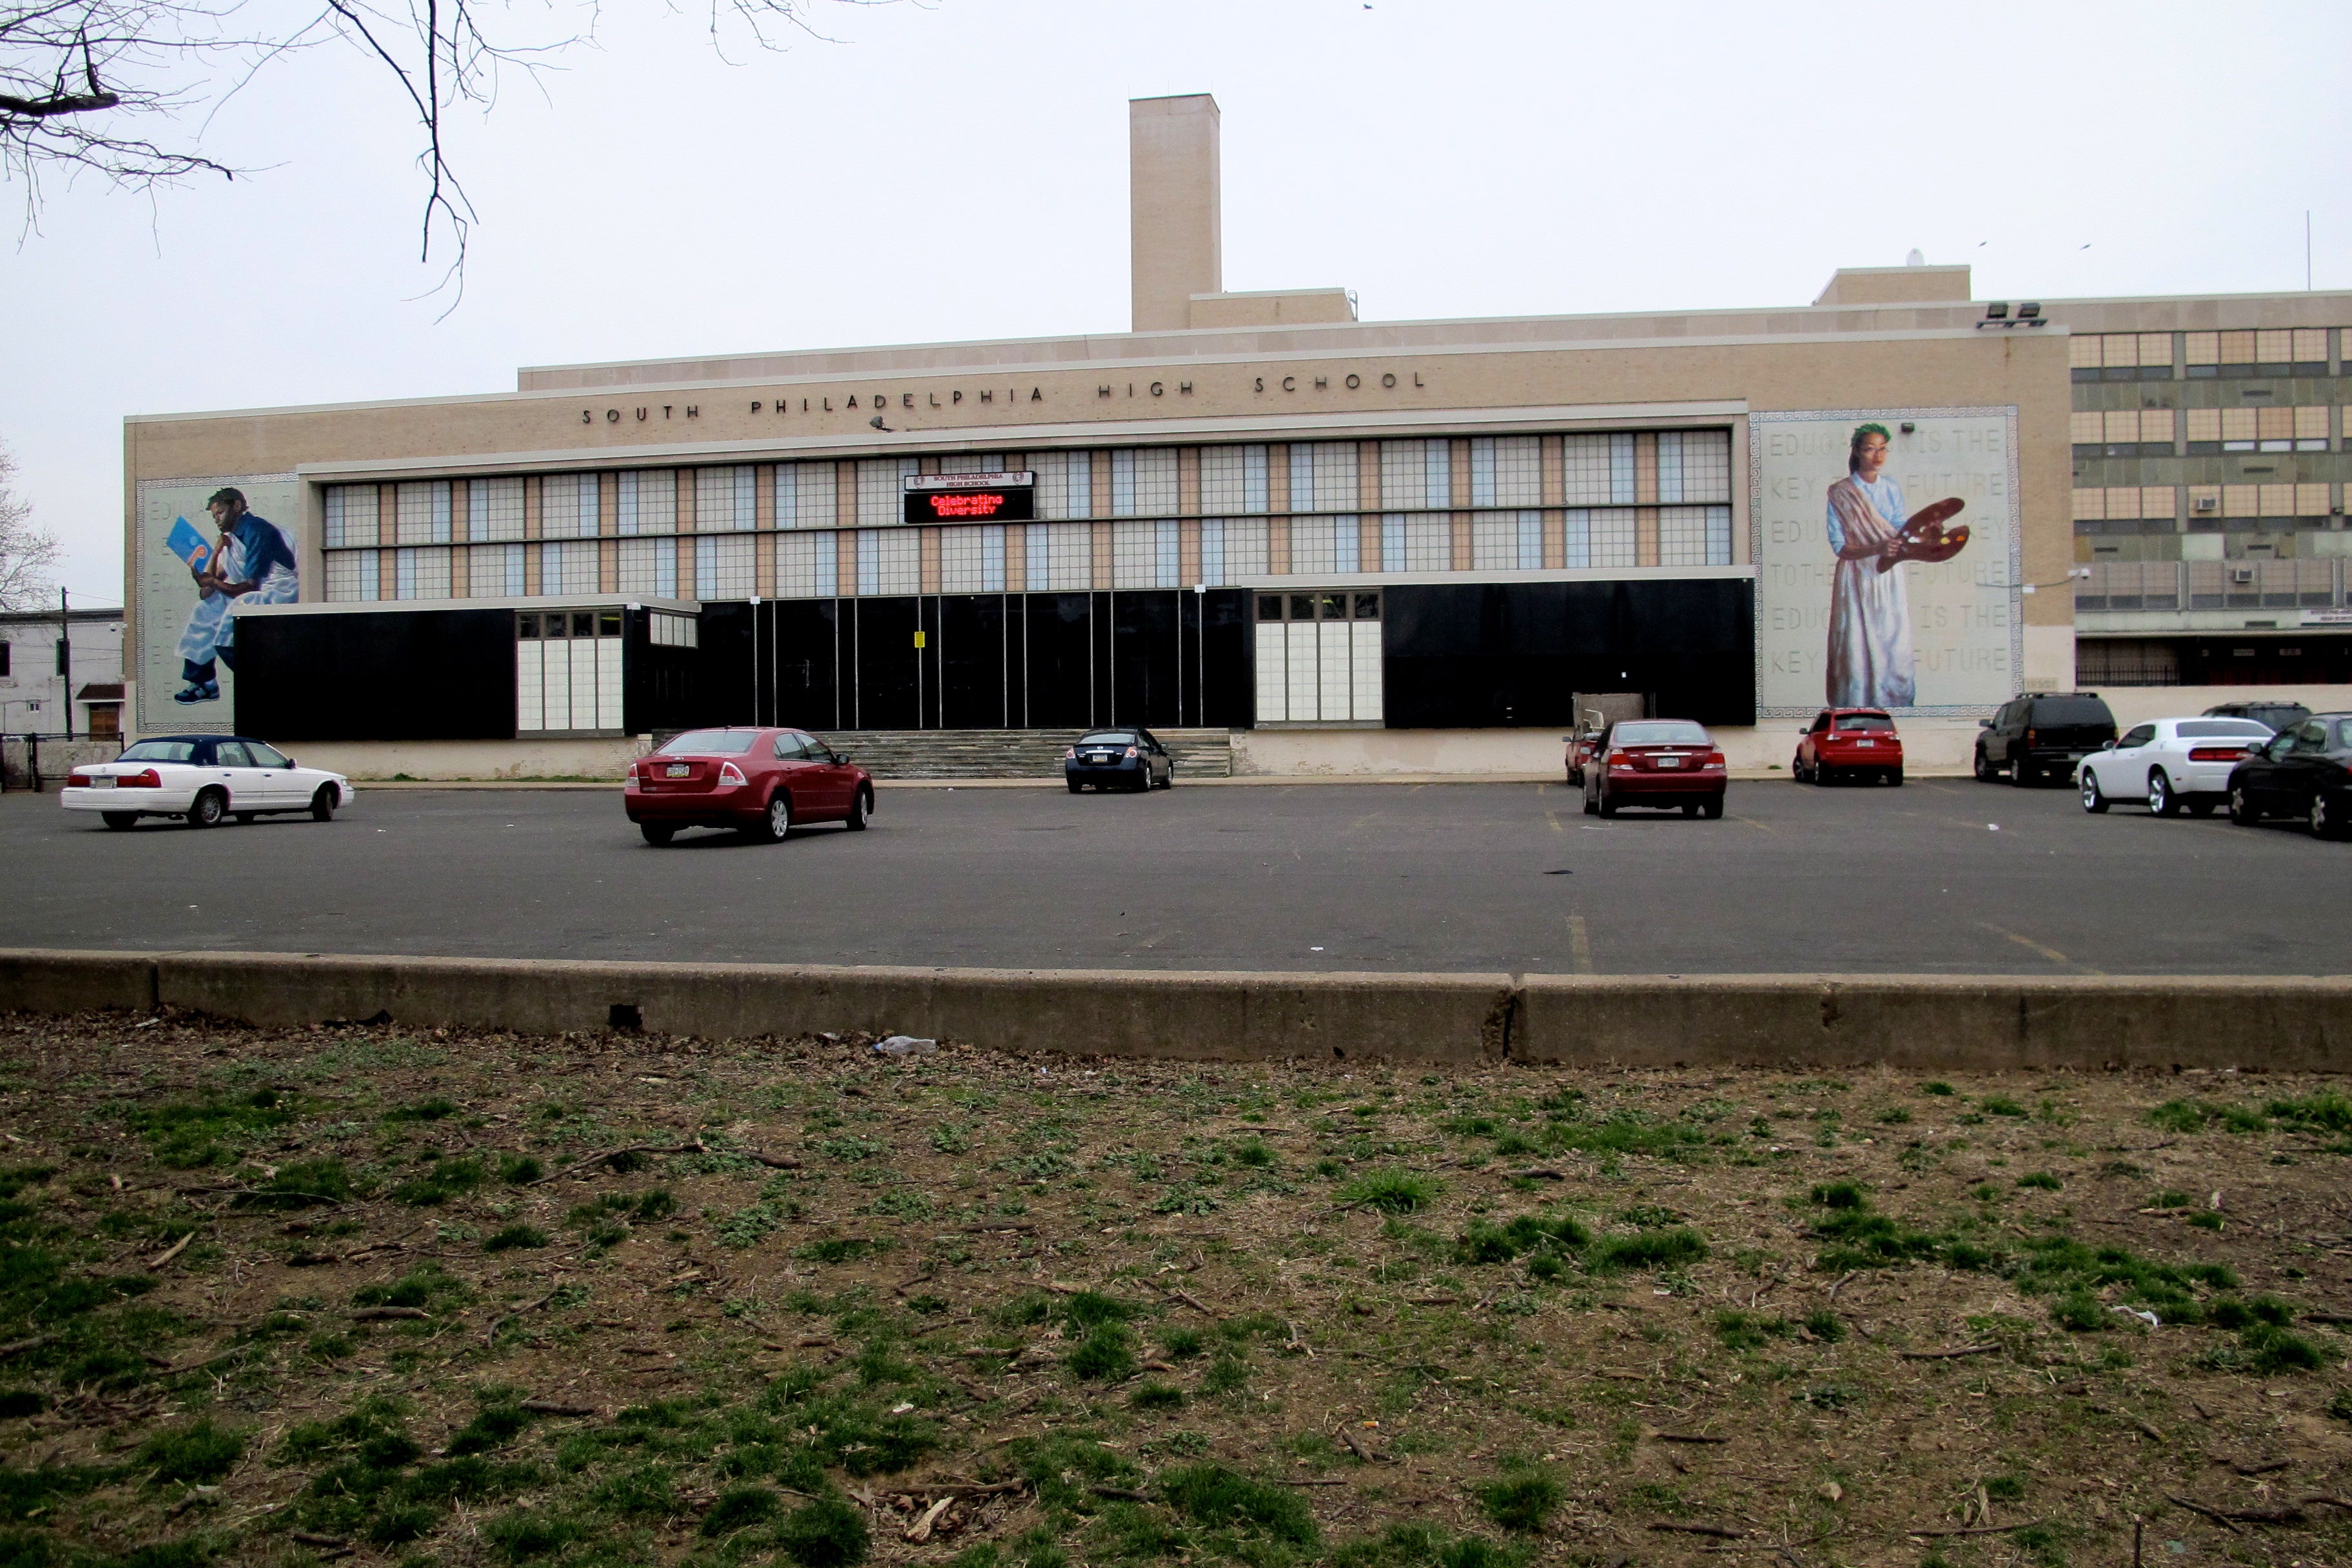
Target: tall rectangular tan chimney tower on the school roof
x,y
1175,203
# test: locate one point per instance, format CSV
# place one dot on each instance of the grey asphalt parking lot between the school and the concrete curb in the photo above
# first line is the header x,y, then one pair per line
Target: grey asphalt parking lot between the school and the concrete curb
x,y
1935,878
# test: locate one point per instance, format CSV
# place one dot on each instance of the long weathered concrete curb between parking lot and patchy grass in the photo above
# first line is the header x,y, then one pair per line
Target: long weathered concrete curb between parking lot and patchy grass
x,y
1984,1024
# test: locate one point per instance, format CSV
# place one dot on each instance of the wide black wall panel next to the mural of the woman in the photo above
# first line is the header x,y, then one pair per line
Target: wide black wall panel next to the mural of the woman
x,y
1514,655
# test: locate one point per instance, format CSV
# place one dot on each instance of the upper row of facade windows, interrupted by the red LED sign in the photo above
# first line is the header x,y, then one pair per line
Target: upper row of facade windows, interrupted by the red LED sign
x,y
1499,471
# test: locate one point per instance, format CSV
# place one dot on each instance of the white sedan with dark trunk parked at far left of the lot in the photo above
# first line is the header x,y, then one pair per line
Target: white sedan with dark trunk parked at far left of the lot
x,y
203,779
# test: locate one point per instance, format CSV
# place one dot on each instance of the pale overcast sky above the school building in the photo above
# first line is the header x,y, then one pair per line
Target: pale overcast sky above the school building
x,y
958,170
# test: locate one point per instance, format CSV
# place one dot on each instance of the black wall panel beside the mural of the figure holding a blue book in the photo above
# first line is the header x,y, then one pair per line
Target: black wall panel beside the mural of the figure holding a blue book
x,y
377,676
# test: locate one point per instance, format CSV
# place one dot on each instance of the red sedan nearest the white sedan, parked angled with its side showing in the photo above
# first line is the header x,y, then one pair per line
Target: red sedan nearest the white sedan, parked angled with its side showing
x,y
761,782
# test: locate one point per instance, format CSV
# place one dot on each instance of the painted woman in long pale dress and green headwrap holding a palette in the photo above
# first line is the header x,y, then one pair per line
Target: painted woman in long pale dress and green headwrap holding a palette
x,y
1871,643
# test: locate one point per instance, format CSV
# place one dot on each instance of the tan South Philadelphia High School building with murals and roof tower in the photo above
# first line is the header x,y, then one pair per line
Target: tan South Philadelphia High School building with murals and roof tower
x,y
1358,547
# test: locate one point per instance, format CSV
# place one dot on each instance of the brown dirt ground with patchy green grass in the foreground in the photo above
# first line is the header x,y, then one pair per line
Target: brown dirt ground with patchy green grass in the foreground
x,y
396,1296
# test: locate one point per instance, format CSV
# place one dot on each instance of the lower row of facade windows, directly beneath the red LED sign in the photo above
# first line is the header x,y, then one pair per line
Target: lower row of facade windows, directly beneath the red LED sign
x,y
1055,556
